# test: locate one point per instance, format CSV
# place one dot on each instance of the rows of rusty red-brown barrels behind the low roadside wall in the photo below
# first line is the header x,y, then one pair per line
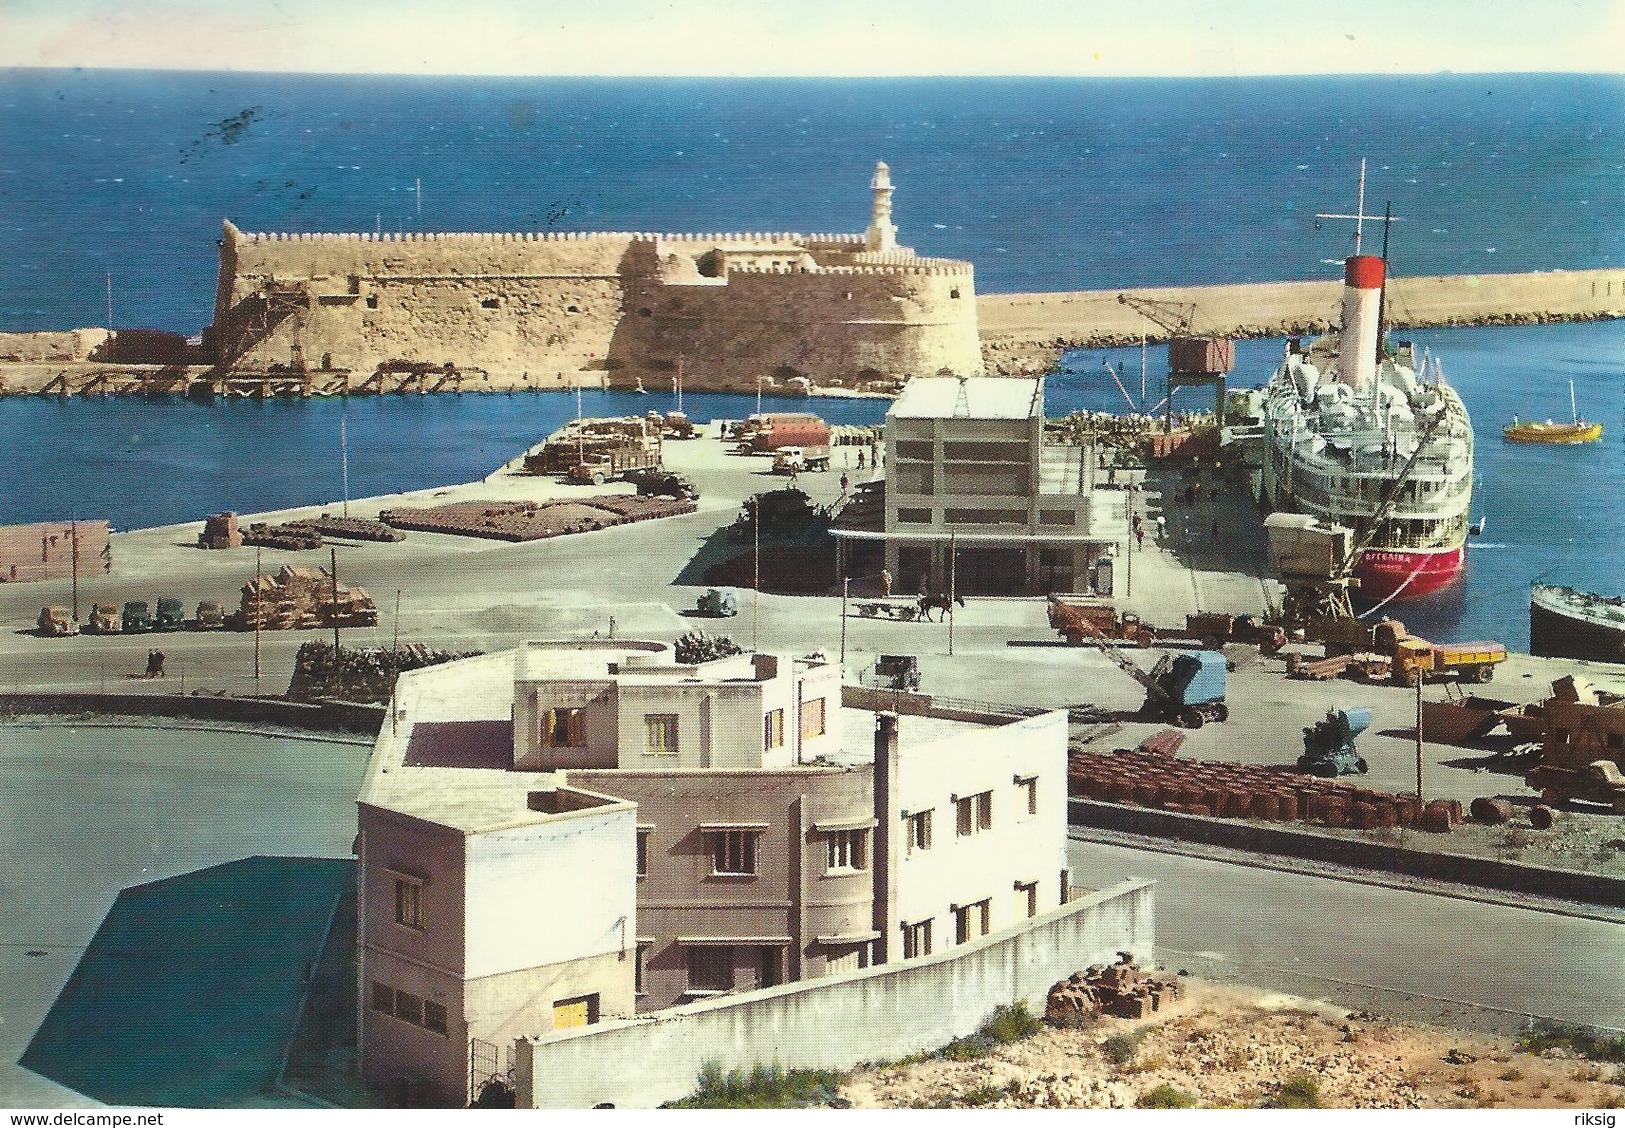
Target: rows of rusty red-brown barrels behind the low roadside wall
x,y
1220,789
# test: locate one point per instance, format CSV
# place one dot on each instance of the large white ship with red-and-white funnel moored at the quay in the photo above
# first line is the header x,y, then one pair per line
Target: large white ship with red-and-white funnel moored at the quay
x,y
1348,423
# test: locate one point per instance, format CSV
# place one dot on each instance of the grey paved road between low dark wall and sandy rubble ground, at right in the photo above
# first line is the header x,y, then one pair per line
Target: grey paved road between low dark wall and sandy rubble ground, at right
x,y
1434,958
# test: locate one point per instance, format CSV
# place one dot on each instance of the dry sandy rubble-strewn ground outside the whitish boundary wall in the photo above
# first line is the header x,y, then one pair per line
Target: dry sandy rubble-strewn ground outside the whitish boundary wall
x,y
1231,1048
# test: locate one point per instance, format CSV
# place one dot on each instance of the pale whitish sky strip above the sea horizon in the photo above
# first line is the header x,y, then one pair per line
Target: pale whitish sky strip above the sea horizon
x,y
834,38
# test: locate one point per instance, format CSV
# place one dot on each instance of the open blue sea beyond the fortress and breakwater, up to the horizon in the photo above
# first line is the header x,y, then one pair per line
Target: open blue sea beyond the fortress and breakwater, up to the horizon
x,y
1044,184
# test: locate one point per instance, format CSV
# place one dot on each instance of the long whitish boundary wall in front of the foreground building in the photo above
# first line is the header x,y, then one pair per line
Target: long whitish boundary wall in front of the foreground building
x,y
877,1015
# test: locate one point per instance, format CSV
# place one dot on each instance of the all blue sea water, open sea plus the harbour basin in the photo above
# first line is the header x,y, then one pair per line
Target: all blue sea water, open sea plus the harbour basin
x,y
116,186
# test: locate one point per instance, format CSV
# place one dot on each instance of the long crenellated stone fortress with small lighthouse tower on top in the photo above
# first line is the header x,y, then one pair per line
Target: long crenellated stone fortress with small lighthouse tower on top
x,y
563,310
